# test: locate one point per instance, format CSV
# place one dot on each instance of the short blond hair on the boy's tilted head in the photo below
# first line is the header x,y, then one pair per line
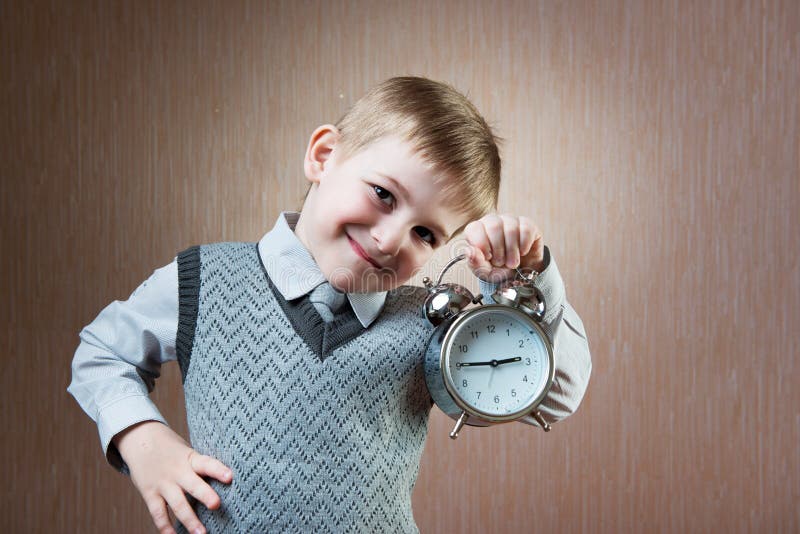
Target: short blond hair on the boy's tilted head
x,y
444,127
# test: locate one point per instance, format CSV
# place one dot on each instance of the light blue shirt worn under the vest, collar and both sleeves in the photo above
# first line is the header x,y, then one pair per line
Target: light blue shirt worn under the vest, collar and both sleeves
x,y
121,351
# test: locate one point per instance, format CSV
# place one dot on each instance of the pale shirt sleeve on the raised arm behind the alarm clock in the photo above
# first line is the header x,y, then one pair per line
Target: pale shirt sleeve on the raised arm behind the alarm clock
x,y
570,345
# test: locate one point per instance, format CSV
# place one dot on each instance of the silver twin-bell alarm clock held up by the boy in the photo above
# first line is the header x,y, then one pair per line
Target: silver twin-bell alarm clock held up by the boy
x,y
489,363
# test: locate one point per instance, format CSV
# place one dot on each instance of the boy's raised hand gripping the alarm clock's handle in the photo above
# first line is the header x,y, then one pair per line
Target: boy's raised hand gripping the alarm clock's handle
x,y
502,243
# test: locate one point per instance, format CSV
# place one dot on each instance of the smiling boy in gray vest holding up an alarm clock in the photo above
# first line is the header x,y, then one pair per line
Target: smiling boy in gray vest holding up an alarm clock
x,y
301,355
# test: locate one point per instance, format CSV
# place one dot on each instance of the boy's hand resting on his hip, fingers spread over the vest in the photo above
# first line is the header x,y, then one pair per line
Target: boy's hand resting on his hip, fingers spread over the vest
x,y
164,468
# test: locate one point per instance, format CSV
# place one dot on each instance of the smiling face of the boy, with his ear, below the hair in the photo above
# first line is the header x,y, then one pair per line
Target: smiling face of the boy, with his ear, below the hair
x,y
372,220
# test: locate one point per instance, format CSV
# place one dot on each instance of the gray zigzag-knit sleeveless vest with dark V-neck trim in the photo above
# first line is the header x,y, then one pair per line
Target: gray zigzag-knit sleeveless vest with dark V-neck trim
x,y
323,424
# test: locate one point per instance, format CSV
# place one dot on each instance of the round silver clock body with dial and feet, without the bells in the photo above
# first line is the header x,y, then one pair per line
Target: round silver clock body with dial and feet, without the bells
x,y
468,352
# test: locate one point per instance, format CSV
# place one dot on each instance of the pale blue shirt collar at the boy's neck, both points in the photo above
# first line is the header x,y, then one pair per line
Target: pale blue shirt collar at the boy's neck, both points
x,y
294,272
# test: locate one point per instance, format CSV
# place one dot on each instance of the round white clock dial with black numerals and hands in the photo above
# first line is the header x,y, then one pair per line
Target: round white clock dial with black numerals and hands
x,y
497,361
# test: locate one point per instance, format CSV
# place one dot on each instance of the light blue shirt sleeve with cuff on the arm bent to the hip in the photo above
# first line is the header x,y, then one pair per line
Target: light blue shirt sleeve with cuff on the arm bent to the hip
x,y
120,356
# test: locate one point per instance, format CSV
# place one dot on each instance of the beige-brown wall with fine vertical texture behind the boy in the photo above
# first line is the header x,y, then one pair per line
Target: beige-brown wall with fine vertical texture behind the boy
x,y
655,142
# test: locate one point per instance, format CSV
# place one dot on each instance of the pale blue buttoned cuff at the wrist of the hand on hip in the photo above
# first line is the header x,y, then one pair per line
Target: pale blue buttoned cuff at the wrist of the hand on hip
x,y
119,415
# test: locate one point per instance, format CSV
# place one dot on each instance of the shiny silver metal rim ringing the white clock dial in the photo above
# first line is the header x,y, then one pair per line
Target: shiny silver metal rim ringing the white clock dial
x,y
457,396
